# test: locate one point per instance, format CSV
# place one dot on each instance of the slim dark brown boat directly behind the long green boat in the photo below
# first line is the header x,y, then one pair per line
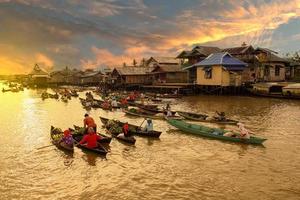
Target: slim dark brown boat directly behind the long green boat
x,y
203,118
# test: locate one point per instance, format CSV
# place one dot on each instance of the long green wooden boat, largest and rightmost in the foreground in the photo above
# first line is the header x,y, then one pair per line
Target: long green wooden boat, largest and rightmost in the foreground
x,y
214,133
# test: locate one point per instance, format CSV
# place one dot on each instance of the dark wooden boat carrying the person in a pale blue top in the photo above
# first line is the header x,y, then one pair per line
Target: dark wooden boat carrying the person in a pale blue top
x,y
133,129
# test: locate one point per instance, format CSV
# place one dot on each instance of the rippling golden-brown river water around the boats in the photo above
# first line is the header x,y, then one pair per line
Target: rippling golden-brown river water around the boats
x,y
177,166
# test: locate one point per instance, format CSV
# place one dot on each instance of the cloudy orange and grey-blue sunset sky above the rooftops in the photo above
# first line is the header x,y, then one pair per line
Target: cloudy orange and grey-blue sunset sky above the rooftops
x,y
90,33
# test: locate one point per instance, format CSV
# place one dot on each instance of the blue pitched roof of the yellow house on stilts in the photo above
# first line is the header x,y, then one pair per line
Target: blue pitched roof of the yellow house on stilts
x,y
224,59
